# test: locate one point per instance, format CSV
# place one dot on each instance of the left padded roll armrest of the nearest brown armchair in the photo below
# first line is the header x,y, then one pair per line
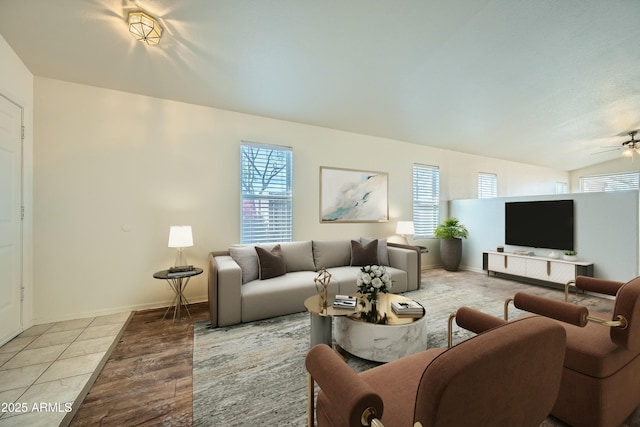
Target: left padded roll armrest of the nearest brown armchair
x,y
346,391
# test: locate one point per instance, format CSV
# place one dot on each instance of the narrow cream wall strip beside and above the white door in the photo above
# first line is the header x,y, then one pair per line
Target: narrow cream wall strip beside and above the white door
x,y
16,83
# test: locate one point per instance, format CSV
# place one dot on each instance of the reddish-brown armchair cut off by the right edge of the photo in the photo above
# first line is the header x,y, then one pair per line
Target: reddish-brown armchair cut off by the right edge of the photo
x,y
601,377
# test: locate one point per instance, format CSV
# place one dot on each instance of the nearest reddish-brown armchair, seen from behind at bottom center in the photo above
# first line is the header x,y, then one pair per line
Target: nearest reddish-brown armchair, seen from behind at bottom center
x,y
506,376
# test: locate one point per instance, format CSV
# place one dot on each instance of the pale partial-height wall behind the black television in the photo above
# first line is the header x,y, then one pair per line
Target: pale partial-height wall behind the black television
x,y
606,230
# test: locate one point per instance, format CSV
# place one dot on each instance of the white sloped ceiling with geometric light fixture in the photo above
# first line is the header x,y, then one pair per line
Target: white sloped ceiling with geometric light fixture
x,y
546,82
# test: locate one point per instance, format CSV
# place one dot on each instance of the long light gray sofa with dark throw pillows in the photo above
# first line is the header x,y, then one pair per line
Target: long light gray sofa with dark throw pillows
x,y
238,295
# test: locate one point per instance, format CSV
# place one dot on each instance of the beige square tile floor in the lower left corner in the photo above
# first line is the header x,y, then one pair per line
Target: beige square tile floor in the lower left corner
x,y
44,369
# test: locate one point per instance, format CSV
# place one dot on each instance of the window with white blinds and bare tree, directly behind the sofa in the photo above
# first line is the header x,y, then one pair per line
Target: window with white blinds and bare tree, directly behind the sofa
x,y
266,193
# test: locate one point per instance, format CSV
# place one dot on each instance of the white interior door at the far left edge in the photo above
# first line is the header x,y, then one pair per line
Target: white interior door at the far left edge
x,y
10,220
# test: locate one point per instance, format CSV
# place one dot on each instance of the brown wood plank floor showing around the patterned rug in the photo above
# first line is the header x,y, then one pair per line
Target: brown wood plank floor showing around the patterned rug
x,y
148,378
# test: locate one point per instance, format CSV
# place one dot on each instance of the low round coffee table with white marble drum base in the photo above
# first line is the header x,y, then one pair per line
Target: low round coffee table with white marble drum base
x,y
399,337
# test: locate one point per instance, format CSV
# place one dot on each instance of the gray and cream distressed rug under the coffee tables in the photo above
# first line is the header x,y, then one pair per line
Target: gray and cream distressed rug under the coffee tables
x,y
253,374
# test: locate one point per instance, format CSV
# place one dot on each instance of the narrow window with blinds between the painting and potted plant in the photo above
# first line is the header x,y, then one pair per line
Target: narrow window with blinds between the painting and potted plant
x,y
426,199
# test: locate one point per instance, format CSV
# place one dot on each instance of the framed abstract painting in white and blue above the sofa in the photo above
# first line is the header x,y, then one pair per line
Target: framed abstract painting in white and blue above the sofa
x,y
348,195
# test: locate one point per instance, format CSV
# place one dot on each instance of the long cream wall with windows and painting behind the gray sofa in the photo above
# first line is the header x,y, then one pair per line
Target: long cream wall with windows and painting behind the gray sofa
x,y
108,161
